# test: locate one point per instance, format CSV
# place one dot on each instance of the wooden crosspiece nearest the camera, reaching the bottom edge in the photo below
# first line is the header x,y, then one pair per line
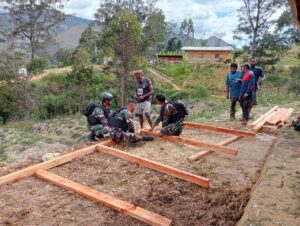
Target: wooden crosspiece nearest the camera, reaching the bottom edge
x,y
104,199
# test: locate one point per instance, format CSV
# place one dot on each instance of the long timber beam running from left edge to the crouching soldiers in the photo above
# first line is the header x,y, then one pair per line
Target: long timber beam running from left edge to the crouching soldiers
x,y
29,171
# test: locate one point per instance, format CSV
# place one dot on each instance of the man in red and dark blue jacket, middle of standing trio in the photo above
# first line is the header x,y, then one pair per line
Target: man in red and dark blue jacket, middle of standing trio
x,y
247,90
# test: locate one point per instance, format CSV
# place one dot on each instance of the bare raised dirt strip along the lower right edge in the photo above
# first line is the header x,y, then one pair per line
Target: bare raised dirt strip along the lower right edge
x,y
276,198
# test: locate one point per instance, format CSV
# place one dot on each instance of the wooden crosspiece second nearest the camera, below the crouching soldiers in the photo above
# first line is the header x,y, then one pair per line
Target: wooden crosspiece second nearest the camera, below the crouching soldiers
x,y
155,165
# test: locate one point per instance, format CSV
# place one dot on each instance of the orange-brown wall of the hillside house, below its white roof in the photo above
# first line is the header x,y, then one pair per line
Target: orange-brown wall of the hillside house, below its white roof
x,y
211,56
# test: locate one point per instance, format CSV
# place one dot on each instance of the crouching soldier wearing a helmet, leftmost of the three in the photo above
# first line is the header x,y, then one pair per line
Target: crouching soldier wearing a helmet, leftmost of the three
x,y
98,121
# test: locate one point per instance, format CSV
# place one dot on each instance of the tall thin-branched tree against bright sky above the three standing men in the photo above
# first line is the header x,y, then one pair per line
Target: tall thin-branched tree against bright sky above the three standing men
x,y
255,20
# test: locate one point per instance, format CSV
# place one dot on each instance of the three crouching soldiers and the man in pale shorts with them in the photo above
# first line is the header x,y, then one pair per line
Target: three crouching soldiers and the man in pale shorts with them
x,y
119,123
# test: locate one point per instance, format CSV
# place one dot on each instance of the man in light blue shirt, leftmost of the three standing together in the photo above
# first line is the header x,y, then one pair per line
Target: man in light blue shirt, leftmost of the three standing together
x,y
233,87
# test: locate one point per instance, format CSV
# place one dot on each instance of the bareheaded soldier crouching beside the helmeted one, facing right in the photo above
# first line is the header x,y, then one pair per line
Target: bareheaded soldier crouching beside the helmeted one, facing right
x,y
121,124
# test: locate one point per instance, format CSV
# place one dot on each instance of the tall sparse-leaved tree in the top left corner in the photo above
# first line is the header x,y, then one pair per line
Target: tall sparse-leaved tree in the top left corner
x,y
35,21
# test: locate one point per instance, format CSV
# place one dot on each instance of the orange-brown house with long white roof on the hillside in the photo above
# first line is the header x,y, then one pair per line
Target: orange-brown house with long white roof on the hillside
x,y
210,54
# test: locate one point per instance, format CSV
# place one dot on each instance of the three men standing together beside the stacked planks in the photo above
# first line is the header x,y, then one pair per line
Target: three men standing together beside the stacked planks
x,y
242,86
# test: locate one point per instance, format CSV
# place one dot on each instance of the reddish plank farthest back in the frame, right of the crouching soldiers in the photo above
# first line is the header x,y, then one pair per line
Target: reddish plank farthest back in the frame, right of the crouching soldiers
x,y
239,133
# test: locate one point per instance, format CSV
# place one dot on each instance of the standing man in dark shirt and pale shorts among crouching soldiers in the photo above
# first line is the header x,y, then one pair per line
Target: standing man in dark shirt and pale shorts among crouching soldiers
x,y
143,96
